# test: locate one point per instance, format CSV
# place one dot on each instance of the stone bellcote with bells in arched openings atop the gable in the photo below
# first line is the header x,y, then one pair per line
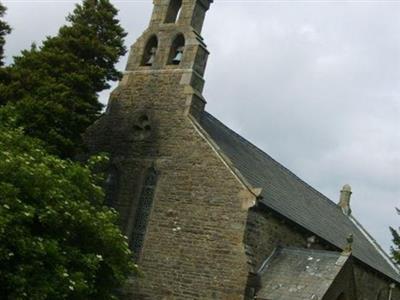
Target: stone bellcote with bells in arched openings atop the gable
x,y
172,44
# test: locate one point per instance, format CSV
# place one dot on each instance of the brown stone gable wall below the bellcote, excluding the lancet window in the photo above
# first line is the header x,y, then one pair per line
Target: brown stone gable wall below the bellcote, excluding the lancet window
x,y
193,248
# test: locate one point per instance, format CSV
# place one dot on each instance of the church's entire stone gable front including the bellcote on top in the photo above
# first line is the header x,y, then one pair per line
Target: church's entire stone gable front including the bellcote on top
x,y
179,205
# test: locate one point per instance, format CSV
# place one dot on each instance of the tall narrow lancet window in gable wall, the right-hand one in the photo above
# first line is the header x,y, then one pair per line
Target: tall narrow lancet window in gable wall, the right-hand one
x,y
143,212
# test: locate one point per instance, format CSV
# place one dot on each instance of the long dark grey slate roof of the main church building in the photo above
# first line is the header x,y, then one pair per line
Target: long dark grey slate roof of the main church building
x,y
287,194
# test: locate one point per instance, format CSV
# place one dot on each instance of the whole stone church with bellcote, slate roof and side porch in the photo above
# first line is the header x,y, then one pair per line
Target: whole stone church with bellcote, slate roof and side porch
x,y
208,214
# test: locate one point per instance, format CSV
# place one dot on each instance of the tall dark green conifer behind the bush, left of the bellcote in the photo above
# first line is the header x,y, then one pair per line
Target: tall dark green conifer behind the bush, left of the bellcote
x,y
54,87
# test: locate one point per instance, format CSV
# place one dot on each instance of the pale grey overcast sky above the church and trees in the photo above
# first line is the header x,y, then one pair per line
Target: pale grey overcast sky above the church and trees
x,y
316,84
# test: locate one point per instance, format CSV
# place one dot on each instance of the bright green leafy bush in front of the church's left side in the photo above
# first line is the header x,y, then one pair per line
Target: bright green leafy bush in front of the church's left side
x,y
57,239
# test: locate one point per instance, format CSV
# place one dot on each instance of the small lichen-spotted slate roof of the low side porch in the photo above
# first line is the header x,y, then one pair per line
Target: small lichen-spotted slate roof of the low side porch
x,y
299,274
